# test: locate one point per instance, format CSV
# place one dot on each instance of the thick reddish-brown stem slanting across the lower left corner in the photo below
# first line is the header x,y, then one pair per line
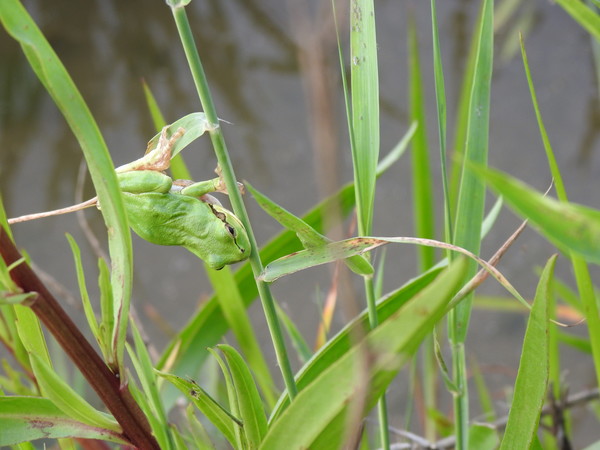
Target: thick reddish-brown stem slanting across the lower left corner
x,y
106,384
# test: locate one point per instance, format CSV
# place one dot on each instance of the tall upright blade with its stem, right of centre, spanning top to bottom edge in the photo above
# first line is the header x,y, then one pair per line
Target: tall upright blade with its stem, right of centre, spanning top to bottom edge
x,y
470,208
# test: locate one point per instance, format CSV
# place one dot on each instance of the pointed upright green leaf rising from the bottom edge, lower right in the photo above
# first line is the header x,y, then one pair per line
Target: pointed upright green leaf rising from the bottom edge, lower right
x,y
532,378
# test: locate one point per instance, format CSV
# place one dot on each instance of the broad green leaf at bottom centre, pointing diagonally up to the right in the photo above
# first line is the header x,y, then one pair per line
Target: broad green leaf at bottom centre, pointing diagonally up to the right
x,y
322,405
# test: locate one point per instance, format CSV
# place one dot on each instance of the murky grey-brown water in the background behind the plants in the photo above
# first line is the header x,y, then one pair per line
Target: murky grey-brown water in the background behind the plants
x,y
251,50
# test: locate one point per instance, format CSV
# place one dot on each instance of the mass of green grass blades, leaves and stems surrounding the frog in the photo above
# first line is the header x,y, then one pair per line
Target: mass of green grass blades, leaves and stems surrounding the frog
x,y
323,404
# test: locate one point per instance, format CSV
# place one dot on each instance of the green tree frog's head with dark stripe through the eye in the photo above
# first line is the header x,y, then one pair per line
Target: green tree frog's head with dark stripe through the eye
x,y
229,240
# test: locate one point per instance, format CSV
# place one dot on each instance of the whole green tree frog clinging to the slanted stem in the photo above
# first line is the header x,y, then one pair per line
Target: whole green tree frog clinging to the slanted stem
x,y
167,212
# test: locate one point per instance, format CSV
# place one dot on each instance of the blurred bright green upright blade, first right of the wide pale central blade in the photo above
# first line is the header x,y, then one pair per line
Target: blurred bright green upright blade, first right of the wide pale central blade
x,y
423,202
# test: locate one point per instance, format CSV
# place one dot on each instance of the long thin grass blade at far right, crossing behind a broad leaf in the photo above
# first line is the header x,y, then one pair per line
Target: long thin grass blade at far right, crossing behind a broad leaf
x,y
583,278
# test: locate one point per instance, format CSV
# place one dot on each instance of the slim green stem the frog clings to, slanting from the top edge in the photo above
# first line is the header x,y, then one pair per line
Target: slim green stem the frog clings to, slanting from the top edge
x,y
216,136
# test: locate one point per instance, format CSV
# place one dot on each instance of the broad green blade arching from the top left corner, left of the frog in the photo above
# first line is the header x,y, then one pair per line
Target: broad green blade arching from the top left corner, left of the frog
x,y
59,85
